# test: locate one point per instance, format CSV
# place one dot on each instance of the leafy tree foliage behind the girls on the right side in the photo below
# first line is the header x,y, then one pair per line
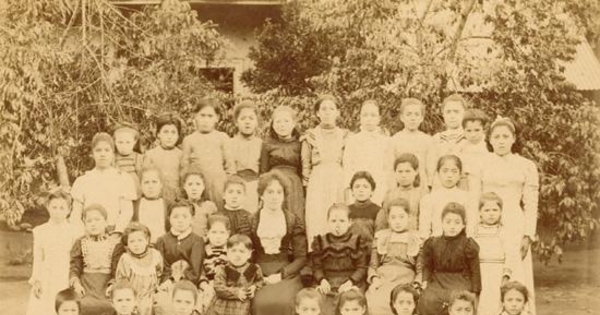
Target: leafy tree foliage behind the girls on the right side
x,y
504,56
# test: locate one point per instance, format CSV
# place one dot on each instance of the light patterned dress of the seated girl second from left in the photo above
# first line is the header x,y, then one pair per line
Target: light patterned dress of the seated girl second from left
x,y
143,272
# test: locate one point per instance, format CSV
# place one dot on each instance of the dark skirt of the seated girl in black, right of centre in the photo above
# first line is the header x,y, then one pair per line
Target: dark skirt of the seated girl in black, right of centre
x,y
438,292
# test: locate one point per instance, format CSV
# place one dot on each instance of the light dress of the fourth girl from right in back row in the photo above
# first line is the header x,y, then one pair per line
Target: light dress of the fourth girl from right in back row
x,y
422,146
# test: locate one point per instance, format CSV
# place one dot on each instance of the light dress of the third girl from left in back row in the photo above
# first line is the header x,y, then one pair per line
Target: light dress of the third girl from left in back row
x,y
169,164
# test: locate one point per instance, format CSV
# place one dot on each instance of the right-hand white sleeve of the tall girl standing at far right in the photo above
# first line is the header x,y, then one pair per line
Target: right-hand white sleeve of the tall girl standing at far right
x,y
530,198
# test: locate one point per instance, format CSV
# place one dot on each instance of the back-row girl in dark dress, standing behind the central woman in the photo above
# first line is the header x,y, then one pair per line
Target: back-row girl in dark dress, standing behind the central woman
x,y
281,154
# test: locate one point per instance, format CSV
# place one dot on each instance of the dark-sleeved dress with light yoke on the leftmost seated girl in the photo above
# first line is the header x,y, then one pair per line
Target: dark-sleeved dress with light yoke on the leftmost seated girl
x,y
93,263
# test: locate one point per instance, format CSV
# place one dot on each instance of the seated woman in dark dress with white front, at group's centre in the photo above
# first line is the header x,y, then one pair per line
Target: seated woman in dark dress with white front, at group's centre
x,y
279,248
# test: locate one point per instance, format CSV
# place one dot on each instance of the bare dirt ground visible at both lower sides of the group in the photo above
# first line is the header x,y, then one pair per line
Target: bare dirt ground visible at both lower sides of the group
x,y
570,288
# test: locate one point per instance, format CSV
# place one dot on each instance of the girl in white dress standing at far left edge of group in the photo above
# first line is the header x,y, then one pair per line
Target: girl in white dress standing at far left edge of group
x,y
50,272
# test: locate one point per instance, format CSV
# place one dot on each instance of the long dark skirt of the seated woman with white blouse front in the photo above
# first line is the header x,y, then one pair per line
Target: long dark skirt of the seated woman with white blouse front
x,y
278,298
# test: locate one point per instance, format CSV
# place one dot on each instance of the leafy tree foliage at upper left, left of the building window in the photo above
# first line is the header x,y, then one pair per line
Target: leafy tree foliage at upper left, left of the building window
x,y
69,69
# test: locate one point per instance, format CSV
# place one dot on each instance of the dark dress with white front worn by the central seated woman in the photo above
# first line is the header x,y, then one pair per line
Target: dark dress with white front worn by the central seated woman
x,y
286,258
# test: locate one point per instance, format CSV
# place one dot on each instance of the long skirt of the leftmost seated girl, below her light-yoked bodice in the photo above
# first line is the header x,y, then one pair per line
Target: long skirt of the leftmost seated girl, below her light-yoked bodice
x,y
94,302
